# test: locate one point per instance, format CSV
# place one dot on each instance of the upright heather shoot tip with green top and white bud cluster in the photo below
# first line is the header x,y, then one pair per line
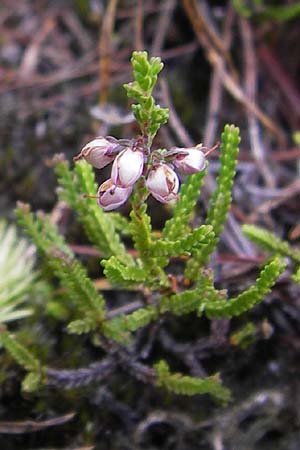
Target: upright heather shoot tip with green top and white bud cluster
x,y
135,160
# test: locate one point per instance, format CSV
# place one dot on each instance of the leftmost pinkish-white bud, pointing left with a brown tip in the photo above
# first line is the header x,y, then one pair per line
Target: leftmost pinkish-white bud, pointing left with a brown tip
x,y
97,152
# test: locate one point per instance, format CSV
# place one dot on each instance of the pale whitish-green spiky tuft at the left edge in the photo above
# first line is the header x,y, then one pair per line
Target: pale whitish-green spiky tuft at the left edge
x,y
17,277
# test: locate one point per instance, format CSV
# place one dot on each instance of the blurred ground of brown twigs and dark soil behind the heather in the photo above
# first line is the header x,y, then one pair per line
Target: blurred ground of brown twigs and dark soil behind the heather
x,y
62,66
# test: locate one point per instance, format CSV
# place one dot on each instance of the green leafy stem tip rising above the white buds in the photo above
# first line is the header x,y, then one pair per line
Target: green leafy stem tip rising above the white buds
x,y
148,115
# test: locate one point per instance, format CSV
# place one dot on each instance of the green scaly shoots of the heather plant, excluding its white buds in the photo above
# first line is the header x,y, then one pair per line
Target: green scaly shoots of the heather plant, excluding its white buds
x,y
147,268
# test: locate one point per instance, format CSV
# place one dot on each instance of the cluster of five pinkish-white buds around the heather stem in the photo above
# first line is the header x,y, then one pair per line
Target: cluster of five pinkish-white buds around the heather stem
x,y
132,160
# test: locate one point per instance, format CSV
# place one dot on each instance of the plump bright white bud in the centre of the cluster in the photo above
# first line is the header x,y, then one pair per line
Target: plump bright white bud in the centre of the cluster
x,y
127,167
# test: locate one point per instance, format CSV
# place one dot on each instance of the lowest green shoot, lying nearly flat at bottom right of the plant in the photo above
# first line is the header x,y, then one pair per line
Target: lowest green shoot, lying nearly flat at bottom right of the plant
x,y
186,385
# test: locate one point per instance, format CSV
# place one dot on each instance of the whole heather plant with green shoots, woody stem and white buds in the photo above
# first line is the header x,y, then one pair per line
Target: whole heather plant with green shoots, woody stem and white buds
x,y
138,171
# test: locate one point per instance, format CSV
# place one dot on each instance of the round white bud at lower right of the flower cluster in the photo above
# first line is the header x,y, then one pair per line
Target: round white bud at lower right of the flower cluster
x,y
163,183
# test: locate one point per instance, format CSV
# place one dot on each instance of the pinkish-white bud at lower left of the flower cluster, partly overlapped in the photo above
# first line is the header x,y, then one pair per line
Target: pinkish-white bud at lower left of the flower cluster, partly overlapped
x,y
111,196
